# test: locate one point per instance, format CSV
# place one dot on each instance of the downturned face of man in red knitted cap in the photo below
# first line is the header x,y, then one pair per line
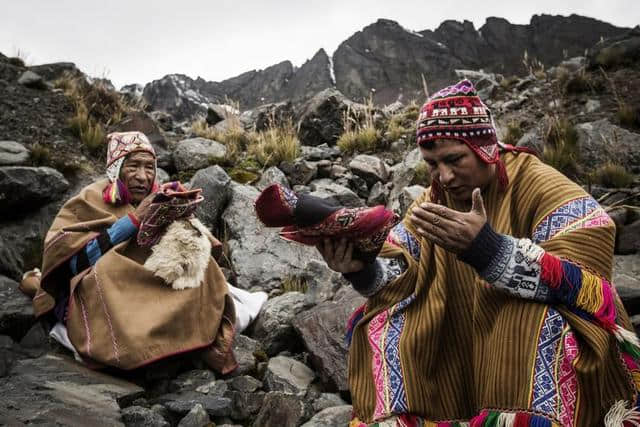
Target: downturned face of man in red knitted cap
x,y
457,168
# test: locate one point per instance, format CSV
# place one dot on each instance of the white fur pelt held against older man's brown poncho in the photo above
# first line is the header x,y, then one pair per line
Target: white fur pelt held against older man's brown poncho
x,y
182,255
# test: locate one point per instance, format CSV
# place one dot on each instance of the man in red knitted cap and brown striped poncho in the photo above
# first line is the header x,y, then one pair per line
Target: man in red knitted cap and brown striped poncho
x,y
490,304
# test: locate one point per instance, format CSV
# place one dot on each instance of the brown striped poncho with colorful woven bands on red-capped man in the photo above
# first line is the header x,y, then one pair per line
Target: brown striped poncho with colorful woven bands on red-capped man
x,y
440,345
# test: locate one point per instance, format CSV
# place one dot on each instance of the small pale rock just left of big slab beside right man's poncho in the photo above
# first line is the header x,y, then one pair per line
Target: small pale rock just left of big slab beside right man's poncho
x,y
288,376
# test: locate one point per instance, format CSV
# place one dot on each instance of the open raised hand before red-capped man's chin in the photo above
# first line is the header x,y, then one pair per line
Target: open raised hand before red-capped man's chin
x,y
448,228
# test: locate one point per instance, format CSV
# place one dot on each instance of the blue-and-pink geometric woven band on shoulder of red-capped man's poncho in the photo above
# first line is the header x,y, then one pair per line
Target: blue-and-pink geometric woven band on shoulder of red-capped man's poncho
x,y
583,212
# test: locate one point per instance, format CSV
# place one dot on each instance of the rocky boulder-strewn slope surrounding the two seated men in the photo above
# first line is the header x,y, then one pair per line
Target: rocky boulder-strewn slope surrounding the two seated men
x,y
292,359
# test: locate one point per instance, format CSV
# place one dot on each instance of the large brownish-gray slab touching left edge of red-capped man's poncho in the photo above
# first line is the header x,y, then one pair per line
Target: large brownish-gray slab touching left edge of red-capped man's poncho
x,y
322,329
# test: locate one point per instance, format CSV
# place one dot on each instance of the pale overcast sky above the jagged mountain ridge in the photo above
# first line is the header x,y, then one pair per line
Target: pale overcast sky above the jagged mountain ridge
x,y
138,41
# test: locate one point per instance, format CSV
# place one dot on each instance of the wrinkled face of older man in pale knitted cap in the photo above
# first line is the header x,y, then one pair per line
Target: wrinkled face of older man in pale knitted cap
x,y
138,173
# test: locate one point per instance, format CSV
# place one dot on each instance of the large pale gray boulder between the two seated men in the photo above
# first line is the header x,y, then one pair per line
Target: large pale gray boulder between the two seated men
x,y
259,256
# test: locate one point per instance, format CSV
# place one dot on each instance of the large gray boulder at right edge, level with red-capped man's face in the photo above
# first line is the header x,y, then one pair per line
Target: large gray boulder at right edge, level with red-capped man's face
x,y
601,141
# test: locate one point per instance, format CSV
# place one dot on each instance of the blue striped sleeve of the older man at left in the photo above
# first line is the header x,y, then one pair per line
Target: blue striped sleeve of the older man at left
x,y
121,230
